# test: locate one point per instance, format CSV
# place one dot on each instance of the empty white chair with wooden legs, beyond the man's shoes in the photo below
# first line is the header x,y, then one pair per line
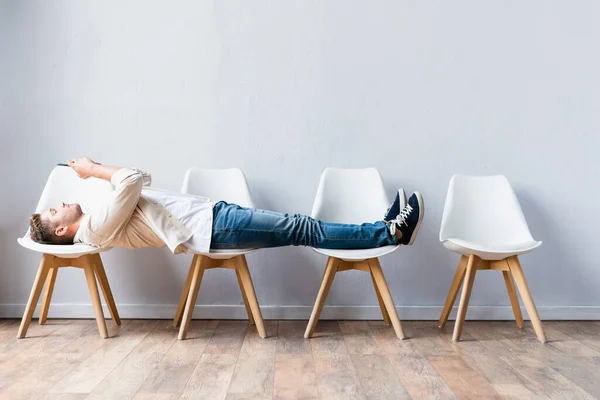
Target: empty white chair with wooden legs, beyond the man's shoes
x,y
483,222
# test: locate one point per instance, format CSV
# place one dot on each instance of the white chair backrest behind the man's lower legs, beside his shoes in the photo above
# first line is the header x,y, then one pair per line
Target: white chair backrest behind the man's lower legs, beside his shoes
x,y
350,196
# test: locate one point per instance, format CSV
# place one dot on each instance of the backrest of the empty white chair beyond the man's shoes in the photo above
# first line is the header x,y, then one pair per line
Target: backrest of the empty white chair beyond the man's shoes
x,y
484,210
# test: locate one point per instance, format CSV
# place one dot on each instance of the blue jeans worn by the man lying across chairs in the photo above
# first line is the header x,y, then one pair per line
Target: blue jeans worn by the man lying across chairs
x,y
236,227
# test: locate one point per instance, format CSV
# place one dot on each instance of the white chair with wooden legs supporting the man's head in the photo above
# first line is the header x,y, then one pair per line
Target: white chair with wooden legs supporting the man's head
x,y
64,185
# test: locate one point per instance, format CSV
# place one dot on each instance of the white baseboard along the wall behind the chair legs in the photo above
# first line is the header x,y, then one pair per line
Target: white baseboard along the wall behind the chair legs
x,y
167,311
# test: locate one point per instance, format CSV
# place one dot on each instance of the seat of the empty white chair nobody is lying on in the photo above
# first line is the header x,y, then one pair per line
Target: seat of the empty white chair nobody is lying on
x,y
490,252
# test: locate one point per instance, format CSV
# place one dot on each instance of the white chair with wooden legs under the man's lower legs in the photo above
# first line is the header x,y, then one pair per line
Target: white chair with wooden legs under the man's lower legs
x,y
353,196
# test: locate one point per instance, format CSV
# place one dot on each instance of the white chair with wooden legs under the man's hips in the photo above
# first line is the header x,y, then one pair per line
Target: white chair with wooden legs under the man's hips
x,y
229,185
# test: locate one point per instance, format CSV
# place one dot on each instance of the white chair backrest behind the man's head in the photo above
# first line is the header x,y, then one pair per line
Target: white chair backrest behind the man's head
x,y
64,185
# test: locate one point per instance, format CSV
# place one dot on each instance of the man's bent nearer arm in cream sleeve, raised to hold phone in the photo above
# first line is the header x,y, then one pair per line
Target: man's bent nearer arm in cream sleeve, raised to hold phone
x,y
114,214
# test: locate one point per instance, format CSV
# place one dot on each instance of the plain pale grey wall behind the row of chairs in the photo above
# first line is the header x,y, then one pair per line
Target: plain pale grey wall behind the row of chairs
x,y
419,89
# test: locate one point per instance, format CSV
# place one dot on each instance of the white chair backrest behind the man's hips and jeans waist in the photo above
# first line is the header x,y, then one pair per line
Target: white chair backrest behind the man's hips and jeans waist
x,y
229,185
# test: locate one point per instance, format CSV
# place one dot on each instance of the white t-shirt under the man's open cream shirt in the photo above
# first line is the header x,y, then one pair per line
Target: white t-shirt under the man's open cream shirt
x,y
194,212
